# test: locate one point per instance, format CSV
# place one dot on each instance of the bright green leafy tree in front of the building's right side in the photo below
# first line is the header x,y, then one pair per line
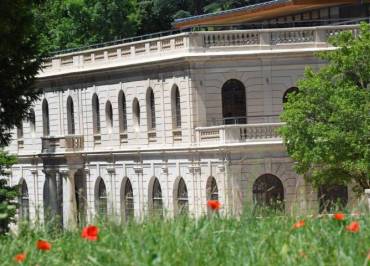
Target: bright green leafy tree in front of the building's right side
x,y
327,129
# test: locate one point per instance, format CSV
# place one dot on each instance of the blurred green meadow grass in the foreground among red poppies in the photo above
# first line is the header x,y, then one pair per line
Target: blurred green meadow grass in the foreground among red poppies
x,y
215,241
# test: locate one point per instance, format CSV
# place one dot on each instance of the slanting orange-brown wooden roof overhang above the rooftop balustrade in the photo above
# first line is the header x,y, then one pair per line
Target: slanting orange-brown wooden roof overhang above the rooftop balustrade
x,y
258,12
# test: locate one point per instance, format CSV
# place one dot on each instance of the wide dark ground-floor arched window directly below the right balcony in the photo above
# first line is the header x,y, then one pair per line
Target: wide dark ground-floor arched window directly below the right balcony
x,y
268,191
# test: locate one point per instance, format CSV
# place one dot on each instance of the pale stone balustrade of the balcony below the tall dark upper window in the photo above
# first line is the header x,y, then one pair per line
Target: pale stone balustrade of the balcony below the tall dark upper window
x,y
226,134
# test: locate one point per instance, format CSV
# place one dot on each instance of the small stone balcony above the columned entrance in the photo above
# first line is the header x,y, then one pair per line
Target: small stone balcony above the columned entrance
x,y
71,143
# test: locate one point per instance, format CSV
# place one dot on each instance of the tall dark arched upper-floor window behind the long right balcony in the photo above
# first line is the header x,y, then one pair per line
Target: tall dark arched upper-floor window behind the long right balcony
x,y
234,102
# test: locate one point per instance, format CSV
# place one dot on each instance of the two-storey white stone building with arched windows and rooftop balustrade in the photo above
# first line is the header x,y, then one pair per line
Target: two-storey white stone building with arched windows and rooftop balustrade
x,y
166,123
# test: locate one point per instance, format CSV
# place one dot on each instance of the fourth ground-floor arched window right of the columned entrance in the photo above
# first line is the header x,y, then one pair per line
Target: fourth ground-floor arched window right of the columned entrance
x,y
180,196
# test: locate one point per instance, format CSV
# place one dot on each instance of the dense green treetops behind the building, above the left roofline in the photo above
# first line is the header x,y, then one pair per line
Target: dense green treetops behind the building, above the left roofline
x,y
75,23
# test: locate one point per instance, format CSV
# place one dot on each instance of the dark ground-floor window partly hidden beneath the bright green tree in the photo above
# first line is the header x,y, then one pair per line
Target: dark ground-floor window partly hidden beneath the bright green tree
x,y
332,197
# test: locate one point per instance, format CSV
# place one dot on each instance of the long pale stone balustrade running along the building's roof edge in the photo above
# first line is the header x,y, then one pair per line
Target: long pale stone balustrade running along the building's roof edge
x,y
189,43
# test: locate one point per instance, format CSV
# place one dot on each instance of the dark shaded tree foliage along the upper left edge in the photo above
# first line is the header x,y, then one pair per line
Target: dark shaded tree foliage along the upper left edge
x,y
19,63
